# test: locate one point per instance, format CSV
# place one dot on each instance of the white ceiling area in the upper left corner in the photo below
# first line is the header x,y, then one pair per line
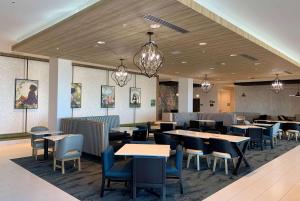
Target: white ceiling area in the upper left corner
x,y
25,17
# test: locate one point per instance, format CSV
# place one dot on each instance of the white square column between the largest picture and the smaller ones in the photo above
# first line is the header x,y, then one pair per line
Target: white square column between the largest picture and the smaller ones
x,y
60,79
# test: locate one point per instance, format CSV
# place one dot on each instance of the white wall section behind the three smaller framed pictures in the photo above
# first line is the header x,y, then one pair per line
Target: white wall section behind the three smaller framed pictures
x,y
92,79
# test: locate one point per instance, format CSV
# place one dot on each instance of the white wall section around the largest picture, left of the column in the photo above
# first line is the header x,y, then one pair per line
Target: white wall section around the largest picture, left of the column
x,y
12,120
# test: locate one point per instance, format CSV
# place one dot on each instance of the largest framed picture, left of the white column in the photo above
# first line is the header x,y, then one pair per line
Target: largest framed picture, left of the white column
x,y
26,94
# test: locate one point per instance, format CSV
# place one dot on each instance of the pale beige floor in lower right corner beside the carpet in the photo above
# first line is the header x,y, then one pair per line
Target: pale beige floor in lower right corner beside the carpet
x,y
277,180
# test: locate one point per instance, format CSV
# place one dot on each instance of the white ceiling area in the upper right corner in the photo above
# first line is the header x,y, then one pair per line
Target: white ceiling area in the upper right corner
x,y
275,22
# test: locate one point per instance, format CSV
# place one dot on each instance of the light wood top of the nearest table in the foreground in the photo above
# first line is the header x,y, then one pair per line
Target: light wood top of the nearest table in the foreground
x,y
144,150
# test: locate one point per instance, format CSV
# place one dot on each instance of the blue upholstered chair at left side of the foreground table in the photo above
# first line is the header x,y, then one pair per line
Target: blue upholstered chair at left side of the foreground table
x,y
114,171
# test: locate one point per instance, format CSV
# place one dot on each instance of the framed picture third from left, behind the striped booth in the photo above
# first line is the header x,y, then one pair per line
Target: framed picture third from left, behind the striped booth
x,y
107,96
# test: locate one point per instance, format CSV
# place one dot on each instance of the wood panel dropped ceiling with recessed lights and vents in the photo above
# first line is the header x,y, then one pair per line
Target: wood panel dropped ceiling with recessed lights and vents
x,y
122,26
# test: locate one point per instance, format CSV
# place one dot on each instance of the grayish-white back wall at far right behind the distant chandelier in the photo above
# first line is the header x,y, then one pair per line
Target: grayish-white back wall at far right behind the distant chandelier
x,y
262,100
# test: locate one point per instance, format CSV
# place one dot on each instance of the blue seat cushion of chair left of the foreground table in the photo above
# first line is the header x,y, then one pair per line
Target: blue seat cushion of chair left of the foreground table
x,y
120,169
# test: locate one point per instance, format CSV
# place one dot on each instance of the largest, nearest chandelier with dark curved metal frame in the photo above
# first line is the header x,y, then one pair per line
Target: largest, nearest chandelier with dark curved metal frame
x,y
149,59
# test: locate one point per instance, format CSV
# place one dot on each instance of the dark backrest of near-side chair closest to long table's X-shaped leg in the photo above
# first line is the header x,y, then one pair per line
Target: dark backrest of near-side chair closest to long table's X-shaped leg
x,y
224,146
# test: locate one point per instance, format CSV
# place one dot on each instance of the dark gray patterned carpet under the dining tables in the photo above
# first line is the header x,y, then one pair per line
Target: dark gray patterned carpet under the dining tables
x,y
85,185
